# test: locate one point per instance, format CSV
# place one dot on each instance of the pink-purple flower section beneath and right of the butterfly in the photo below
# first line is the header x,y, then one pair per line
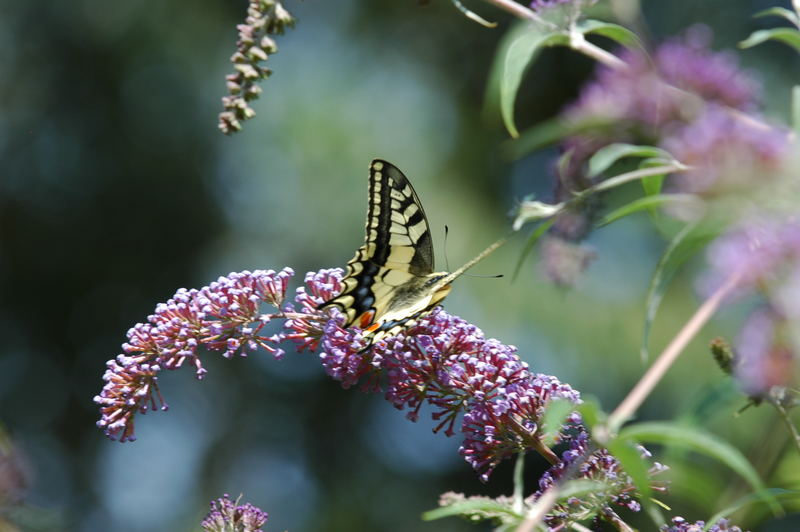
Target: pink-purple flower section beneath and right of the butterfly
x,y
449,364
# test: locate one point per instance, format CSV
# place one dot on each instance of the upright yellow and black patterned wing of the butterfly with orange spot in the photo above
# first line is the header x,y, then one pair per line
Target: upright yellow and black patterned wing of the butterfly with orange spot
x,y
397,251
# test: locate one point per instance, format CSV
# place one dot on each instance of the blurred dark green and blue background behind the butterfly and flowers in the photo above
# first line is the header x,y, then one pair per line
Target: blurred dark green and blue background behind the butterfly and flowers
x,y
116,189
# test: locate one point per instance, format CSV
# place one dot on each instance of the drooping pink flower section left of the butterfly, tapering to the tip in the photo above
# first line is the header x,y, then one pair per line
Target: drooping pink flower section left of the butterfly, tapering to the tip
x,y
223,316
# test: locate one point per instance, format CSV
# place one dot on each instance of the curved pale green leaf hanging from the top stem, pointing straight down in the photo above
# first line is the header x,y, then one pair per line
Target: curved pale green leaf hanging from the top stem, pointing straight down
x,y
519,55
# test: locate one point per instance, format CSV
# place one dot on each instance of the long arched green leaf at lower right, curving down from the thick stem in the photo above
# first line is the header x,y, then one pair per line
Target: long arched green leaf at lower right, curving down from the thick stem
x,y
700,441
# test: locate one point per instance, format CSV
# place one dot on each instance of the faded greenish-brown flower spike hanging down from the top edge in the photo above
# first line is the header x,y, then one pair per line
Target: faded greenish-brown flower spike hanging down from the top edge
x,y
254,46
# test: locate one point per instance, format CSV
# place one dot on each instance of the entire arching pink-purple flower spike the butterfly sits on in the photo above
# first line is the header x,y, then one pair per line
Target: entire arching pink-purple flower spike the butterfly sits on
x,y
475,386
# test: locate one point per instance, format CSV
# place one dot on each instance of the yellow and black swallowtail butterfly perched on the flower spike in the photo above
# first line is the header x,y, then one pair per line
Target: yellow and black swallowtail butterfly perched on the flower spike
x,y
390,281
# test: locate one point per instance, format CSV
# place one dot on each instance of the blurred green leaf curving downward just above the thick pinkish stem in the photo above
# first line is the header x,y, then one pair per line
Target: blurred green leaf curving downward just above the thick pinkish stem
x,y
689,240
